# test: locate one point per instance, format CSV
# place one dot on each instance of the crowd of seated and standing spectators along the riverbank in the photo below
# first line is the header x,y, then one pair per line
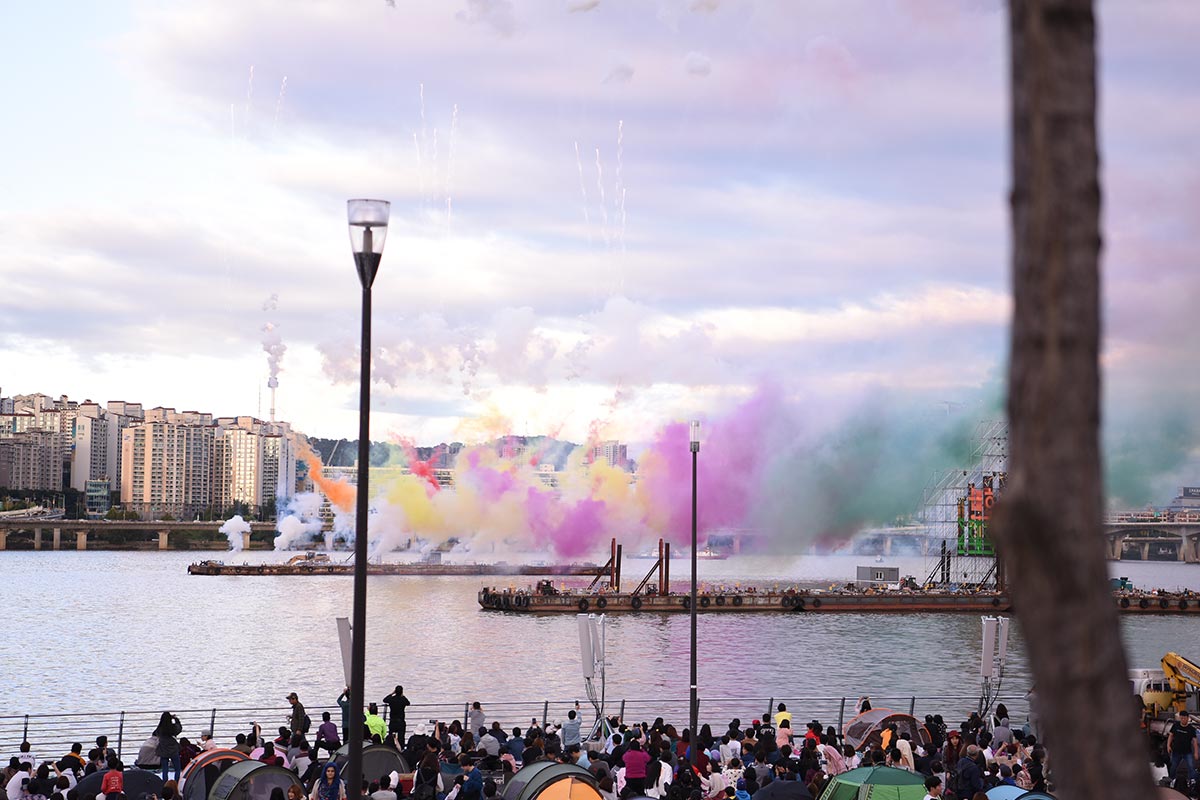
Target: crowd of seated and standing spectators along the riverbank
x,y
775,759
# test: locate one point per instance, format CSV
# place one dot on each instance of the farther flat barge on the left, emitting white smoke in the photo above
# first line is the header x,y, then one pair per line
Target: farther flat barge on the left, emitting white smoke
x,y
321,566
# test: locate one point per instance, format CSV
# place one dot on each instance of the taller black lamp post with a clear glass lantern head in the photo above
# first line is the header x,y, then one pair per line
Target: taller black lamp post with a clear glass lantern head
x,y
369,231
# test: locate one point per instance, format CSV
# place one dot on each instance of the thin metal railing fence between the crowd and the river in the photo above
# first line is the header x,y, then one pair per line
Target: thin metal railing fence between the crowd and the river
x,y
52,735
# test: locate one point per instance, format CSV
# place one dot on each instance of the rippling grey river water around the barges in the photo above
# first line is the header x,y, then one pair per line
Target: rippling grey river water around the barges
x,y
105,630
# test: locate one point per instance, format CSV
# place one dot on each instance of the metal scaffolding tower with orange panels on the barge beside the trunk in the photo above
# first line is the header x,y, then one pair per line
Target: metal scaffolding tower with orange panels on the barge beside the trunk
x,y
957,510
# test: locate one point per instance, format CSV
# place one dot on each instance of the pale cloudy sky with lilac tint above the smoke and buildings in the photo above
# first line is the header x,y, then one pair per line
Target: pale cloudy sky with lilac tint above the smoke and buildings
x,y
607,215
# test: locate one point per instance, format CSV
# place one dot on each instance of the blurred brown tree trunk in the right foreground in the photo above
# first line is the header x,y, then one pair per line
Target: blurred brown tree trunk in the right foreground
x,y
1048,522
